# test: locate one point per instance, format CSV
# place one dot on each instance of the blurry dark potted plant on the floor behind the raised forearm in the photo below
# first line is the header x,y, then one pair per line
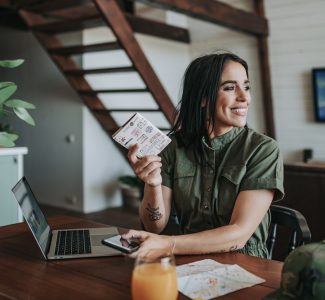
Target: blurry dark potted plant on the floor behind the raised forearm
x,y
132,191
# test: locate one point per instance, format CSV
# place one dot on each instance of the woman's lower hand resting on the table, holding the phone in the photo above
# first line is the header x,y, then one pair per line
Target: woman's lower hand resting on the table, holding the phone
x,y
151,245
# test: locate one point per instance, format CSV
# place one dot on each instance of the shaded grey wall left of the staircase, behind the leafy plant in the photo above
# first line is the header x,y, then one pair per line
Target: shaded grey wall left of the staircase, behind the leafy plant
x,y
53,166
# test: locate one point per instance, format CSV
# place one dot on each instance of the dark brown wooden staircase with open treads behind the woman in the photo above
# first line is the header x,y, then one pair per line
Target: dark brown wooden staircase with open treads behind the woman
x,y
48,19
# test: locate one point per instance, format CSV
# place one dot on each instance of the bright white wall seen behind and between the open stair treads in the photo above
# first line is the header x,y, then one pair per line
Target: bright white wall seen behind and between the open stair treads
x,y
102,163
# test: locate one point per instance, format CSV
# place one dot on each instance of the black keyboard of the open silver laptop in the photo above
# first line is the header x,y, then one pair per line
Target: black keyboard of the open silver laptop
x,y
73,242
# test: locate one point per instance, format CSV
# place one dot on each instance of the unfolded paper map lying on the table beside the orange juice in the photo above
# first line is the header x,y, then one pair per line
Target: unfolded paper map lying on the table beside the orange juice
x,y
207,279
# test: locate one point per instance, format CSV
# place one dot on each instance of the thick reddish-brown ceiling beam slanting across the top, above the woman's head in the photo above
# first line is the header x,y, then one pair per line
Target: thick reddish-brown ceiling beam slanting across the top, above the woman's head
x,y
215,12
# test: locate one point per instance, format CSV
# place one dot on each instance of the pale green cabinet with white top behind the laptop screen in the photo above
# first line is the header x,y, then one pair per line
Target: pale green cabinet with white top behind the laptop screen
x,y
11,170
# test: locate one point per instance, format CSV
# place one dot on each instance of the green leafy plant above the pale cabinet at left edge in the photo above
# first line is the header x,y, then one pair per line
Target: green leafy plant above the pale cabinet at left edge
x,y
9,106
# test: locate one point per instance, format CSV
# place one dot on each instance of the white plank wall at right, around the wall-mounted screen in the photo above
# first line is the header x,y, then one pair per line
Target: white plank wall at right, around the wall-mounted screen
x,y
297,44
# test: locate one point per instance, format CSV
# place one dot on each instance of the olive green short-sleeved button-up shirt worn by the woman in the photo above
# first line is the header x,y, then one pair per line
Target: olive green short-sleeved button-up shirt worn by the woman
x,y
204,194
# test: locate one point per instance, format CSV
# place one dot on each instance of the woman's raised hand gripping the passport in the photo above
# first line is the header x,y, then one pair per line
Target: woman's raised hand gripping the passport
x,y
148,168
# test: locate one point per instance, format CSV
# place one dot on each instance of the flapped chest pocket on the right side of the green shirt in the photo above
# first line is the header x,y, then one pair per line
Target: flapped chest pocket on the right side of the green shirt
x,y
229,187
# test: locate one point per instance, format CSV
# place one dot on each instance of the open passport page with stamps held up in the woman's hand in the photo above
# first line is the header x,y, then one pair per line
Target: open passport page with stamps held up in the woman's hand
x,y
138,130
